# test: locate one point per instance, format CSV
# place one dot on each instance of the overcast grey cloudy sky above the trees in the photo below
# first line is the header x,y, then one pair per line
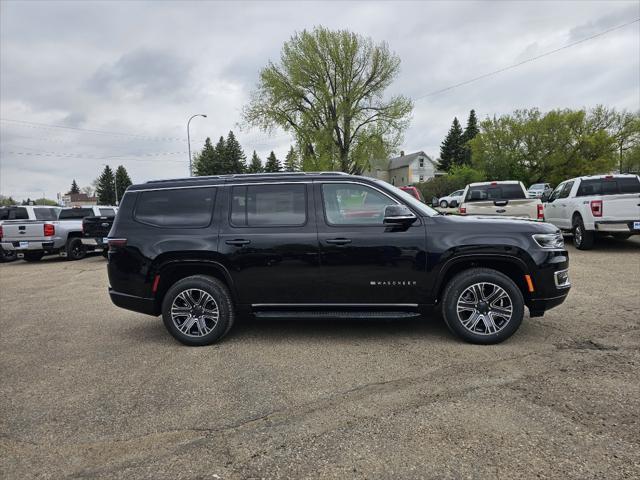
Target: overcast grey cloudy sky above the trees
x,y
122,78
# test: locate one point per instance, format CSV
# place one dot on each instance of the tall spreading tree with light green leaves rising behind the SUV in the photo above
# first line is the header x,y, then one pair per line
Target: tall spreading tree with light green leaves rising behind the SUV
x,y
328,90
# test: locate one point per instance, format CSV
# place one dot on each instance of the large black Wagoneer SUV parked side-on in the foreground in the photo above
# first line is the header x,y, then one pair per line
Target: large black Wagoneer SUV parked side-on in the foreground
x,y
202,250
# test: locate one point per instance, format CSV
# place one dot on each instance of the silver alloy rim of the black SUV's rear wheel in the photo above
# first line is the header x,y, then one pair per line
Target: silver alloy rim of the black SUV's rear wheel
x,y
194,312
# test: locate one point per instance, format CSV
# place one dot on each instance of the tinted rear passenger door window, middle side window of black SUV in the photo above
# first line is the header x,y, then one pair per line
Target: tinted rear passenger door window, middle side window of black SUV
x,y
268,205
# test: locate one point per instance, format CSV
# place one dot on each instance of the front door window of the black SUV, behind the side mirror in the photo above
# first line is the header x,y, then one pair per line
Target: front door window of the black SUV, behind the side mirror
x,y
350,204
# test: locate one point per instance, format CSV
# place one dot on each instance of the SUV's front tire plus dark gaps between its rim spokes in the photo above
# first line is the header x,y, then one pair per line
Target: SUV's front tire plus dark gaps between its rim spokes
x,y
459,285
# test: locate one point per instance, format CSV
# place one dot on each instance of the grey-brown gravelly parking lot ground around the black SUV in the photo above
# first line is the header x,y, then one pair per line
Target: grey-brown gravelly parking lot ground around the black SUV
x,y
88,390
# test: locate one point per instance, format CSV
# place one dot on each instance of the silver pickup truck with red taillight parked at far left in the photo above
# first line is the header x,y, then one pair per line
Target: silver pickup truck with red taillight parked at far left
x,y
32,239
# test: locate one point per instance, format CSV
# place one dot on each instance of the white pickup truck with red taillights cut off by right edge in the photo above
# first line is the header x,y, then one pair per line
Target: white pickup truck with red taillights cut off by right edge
x,y
596,205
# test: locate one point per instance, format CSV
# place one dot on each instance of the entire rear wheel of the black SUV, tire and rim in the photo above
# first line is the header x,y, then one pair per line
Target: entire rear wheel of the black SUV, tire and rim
x,y
198,310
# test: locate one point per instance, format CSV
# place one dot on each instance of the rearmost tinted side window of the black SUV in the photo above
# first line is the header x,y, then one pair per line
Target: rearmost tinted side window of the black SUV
x,y
187,207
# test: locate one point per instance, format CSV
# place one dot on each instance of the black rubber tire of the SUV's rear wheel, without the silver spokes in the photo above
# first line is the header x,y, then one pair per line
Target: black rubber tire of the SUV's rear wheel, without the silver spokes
x,y
219,293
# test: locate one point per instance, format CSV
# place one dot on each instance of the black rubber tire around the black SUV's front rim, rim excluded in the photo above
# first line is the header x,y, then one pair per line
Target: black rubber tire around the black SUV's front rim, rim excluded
x,y
462,281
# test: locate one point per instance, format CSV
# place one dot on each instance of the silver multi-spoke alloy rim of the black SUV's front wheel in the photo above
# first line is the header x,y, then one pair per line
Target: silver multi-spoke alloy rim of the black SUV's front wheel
x,y
484,308
